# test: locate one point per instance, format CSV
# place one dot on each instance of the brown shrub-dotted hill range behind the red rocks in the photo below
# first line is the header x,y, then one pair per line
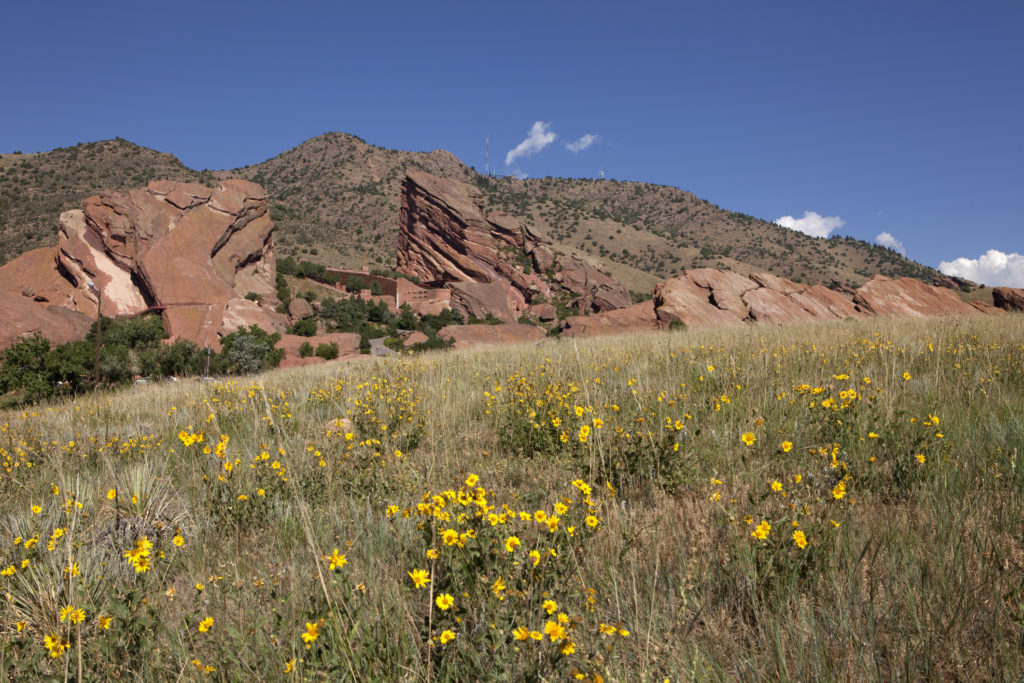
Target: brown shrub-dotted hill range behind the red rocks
x,y
335,200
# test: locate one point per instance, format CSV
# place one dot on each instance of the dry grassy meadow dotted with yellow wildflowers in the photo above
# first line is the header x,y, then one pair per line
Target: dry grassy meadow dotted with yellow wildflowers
x,y
829,502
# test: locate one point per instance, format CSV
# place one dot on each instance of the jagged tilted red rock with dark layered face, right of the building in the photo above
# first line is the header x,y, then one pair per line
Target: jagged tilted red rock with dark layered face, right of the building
x,y
491,263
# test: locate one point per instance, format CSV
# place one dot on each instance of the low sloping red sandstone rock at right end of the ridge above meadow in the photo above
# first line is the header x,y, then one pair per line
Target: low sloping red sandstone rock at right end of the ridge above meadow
x,y
910,298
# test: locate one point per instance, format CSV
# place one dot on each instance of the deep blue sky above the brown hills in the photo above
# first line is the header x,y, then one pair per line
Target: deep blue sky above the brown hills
x,y
897,118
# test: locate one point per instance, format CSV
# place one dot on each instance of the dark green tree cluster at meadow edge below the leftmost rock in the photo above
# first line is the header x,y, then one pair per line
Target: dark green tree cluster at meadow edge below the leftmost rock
x,y
31,370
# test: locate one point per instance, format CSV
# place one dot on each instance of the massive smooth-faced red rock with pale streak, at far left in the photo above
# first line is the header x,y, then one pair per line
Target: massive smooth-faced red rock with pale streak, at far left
x,y
189,251
